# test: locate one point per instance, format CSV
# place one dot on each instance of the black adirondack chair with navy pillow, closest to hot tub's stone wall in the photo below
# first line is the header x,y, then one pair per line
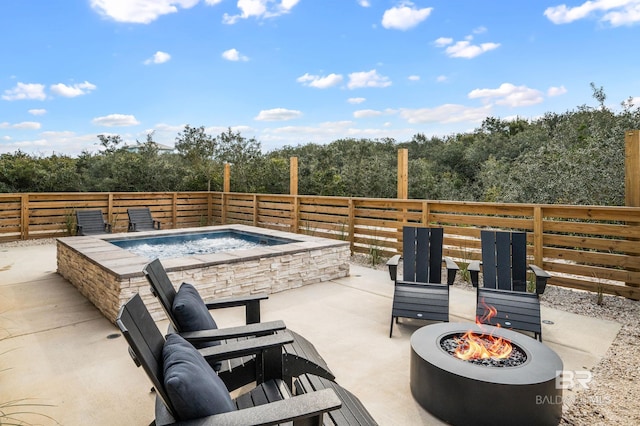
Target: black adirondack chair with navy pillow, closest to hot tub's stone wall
x,y
299,357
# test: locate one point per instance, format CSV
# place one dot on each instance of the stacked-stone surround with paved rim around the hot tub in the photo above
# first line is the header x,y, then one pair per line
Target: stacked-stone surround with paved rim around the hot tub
x,y
108,275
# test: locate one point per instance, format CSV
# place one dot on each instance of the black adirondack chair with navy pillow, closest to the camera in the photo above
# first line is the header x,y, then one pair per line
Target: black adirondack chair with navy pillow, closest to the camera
x,y
188,389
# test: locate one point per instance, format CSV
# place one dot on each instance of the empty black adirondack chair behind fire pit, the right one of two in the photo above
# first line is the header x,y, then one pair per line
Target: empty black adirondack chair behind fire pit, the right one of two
x,y
504,276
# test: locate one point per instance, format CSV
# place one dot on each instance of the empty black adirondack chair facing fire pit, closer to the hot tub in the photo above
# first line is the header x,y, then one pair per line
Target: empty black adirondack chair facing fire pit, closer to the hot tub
x,y
420,293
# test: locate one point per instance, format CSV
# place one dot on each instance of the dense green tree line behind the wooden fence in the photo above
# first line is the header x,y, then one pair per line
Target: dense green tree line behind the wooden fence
x,y
575,157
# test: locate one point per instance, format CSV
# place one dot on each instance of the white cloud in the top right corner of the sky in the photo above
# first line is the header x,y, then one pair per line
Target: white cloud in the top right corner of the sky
x,y
614,12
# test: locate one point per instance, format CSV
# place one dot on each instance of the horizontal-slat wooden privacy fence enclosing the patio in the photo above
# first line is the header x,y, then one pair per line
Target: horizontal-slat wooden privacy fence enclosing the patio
x,y
593,248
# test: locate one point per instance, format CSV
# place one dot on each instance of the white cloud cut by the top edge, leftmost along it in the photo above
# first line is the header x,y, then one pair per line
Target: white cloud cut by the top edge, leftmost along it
x,y
139,11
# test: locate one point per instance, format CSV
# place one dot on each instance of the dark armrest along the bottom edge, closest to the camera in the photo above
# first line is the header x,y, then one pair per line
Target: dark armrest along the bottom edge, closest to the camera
x,y
307,406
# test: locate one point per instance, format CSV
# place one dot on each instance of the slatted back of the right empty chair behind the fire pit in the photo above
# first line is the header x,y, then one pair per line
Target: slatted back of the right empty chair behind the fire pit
x,y
504,260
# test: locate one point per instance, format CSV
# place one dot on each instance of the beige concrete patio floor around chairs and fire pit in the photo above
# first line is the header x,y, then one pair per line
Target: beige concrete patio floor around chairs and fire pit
x,y
58,352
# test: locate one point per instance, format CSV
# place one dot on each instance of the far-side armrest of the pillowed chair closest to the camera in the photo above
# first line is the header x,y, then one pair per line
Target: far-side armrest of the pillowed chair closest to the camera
x,y
245,347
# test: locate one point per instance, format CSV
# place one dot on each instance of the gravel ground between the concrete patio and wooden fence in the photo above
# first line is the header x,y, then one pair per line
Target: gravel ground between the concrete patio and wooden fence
x,y
613,397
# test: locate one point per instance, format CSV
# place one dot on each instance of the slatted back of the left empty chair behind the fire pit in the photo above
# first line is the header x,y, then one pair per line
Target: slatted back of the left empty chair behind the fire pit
x,y
422,254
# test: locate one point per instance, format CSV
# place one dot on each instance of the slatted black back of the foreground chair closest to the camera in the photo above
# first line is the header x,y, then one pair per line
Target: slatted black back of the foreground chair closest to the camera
x,y
145,343
